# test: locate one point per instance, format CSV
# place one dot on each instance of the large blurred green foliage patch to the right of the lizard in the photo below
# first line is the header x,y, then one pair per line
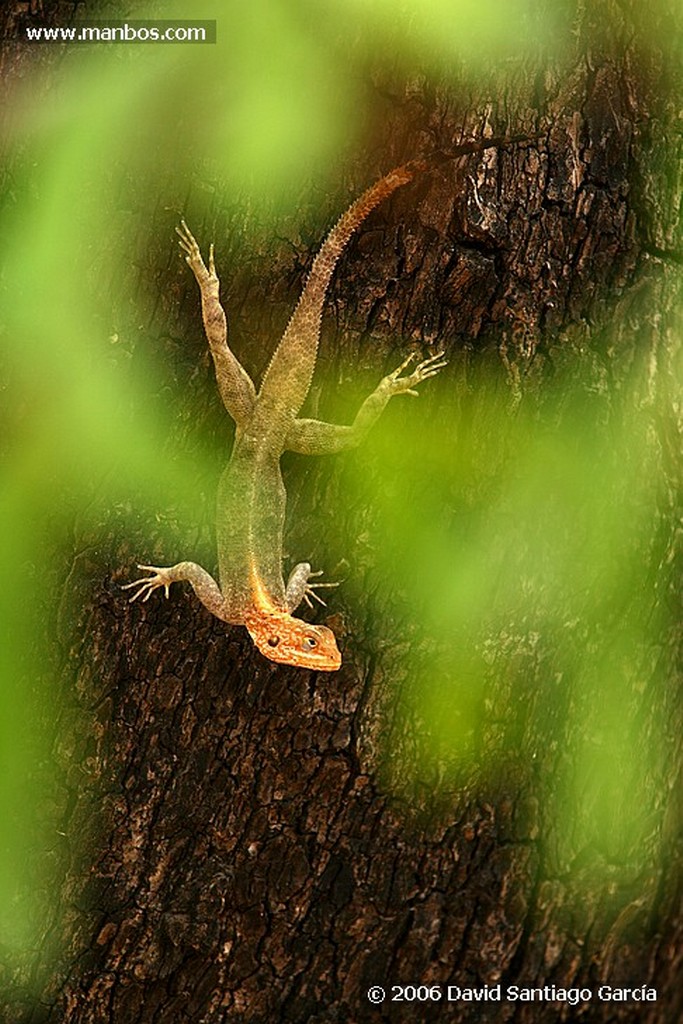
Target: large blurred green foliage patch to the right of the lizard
x,y
531,554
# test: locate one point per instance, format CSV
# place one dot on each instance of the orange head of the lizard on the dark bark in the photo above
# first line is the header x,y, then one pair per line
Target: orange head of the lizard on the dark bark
x,y
291,642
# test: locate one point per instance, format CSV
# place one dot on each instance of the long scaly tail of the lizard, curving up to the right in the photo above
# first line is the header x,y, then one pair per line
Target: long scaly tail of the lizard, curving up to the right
x,y
289,375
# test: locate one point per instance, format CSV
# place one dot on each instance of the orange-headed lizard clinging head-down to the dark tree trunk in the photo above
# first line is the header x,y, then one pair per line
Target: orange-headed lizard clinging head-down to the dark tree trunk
x,y
251,496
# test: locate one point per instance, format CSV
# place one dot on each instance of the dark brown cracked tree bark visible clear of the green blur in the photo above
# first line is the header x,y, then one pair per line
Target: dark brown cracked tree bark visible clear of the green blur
x,y
245,860
